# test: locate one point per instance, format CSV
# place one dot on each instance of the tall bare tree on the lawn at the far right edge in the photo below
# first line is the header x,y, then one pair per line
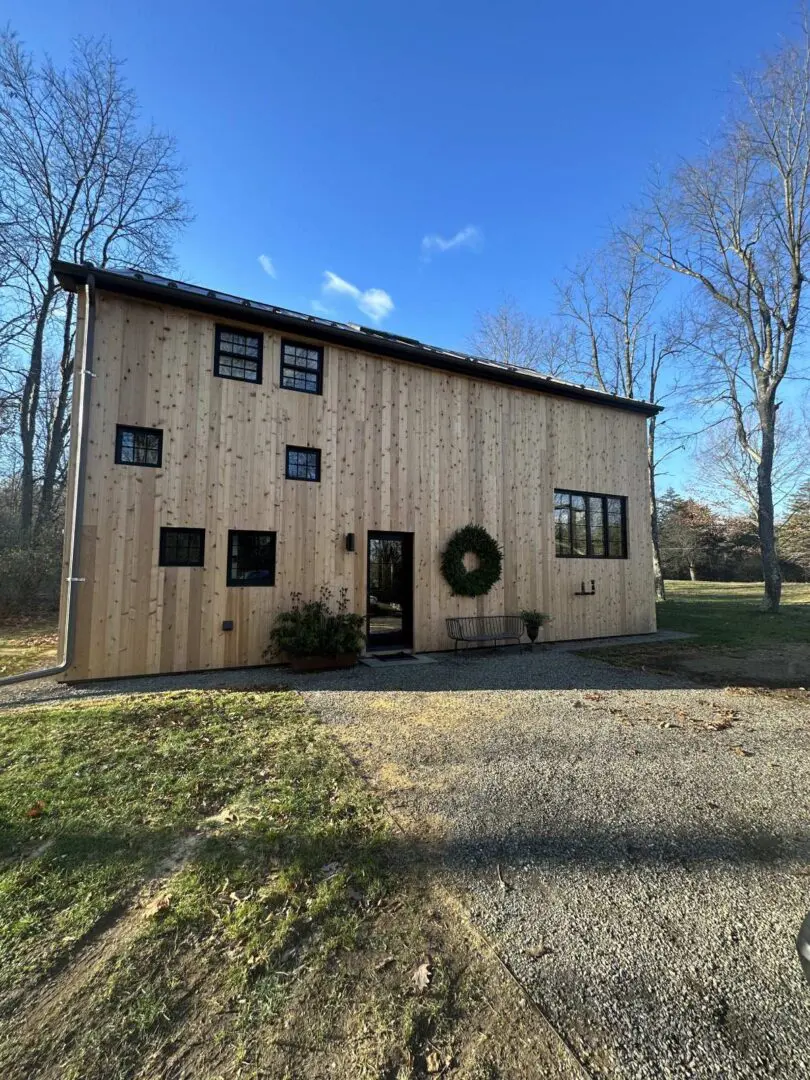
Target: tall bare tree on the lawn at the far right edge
x,y
735,223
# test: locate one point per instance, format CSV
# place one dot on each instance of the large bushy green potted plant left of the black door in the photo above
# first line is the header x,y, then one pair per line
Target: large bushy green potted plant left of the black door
x,y
316,638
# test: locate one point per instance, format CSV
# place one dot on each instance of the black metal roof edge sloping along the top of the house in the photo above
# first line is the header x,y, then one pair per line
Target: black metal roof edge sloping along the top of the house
x,y
148,287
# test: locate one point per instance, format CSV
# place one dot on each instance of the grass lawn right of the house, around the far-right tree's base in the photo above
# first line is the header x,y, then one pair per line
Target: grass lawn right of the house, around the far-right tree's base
x,y
734,641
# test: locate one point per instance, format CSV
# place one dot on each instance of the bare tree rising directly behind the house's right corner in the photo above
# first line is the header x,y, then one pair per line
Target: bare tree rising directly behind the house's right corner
x,y
624,345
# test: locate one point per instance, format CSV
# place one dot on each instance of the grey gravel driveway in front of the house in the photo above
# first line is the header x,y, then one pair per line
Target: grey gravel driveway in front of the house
x,y
652,840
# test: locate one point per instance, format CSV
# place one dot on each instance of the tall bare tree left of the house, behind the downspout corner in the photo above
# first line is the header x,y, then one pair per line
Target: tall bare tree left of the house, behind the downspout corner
x,y
82,179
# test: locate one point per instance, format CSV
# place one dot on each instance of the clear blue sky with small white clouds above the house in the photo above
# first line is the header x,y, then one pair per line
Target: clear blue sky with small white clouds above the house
x,y
339,137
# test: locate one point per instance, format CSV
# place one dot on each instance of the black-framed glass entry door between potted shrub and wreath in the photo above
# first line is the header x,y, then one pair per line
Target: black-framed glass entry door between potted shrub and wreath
x,y
390,603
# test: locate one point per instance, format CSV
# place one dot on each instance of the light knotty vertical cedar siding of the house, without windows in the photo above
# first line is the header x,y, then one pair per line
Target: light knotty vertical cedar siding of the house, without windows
x,y
403,449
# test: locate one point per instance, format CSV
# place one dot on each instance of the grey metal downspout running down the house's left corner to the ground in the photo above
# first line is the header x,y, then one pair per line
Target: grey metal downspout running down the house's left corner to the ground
x,y
77,510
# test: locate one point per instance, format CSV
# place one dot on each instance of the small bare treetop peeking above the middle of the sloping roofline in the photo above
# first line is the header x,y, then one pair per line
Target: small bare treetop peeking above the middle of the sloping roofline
x,y
508,335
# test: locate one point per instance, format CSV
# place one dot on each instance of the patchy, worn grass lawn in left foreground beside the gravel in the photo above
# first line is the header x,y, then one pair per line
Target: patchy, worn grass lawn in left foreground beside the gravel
x,y
199,884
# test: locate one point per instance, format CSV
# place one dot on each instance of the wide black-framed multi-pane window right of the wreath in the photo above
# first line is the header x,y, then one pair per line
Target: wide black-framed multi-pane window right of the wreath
x,y
590,526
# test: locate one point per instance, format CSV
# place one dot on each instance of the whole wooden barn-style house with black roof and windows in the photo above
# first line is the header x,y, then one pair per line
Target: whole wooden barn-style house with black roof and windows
x,y
227,454
